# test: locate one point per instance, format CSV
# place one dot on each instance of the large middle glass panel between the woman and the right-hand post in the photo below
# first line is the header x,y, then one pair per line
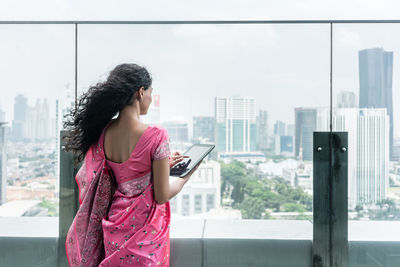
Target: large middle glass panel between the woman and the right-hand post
x,y
247,89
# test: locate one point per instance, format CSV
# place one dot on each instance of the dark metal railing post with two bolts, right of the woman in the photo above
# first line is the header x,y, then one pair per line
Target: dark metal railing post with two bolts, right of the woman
x,y
330,199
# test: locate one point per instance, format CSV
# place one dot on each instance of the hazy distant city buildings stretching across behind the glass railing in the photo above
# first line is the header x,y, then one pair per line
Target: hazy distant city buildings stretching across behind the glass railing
x,y
281,152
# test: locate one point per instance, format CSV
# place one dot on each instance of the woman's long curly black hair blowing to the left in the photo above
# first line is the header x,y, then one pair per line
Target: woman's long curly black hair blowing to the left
x,y
100,104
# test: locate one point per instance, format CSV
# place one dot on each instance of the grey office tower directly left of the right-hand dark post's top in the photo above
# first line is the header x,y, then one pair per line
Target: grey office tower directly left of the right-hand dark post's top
x,y
305,125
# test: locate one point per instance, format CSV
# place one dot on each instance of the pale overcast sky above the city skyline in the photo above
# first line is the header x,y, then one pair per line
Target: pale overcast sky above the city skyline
x,y
282,66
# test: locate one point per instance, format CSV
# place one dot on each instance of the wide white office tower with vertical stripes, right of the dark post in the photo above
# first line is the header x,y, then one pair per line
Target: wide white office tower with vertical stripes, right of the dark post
x,y
368,152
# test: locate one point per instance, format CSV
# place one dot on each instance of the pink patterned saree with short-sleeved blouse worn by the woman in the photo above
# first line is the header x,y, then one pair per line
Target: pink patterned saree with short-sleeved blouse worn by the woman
x,y
126,227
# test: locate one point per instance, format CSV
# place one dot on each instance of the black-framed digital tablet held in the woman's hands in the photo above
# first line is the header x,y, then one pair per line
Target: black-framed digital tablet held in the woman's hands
x,y
196,154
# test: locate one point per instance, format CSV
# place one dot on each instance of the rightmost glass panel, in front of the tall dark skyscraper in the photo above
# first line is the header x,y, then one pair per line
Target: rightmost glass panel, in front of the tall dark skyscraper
x,y
366,98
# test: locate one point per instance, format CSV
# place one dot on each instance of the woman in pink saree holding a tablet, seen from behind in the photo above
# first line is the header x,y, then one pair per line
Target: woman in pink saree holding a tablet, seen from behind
x,y
124,188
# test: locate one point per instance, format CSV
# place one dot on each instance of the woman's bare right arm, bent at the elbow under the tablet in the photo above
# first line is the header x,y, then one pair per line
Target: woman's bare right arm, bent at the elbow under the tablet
x,y
163,190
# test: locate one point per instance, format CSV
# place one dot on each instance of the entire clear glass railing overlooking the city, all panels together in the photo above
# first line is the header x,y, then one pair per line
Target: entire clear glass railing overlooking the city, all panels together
x,y
257,91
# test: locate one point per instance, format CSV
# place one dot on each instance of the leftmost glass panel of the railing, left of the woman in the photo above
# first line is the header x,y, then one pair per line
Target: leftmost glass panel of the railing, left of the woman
x,y
37,73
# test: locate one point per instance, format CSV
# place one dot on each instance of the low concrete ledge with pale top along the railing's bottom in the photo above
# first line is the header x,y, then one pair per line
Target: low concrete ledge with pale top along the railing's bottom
x,y
32,241
